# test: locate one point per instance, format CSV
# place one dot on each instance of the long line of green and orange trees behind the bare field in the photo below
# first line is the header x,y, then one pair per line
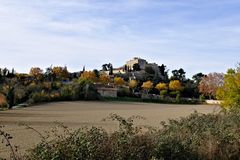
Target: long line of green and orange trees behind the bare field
x,y
56,81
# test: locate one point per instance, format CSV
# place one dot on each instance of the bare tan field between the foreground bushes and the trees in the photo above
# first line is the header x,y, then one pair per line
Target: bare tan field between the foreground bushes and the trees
x,y
77,114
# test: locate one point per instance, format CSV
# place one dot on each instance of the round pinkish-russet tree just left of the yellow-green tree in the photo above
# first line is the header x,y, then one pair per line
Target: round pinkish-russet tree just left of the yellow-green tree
x,y
210,83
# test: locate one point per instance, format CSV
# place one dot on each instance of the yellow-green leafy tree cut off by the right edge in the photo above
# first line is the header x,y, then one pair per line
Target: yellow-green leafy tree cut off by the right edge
x,y
230,91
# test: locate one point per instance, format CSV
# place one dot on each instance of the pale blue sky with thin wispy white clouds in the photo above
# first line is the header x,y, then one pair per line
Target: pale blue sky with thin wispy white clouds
x,y
196,35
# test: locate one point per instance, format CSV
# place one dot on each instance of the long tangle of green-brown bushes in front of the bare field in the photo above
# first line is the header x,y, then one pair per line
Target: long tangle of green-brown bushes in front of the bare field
x,y
198,136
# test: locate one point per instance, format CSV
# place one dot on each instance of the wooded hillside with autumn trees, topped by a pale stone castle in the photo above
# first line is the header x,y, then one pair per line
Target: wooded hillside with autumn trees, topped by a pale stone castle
x,y
136,79
